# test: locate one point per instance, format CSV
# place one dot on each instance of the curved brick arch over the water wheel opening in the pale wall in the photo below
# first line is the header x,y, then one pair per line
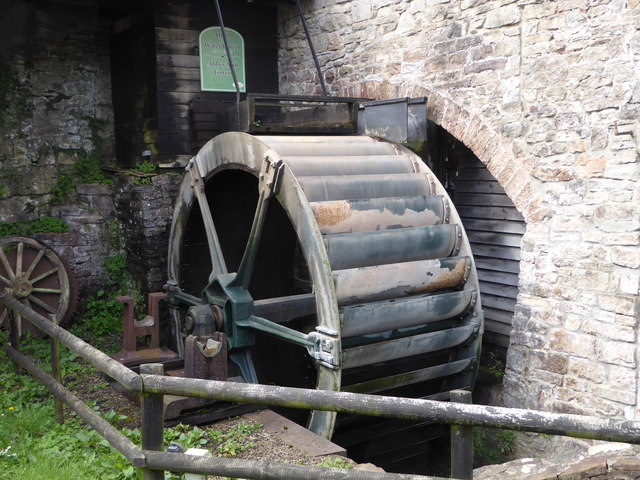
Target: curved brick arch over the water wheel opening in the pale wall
x,y
512,170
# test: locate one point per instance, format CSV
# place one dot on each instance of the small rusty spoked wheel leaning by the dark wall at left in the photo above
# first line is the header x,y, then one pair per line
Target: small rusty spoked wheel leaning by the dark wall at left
x,y
36,276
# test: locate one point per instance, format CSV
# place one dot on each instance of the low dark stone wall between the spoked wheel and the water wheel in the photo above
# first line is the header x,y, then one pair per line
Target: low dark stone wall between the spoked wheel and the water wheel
x,y
107,220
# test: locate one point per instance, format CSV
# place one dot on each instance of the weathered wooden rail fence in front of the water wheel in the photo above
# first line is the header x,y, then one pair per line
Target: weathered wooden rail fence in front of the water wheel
x,y
152,385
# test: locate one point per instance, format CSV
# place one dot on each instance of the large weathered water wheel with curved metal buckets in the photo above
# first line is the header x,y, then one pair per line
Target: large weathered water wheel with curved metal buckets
x,y
360,251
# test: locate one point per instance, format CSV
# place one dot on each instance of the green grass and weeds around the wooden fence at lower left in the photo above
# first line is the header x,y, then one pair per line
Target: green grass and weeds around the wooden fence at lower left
x,y
33,446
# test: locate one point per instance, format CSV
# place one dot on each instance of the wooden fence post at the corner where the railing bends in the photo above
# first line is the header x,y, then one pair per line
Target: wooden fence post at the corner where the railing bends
x,y
152,407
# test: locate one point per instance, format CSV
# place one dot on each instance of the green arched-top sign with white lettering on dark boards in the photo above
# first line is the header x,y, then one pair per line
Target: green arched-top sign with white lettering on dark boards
x,y
215,72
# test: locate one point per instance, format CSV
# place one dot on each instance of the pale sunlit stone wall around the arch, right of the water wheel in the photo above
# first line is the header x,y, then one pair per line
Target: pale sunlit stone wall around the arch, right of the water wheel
x,y
547,95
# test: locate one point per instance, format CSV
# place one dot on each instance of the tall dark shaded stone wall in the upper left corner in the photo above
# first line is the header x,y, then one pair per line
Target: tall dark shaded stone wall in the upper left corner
x,y
55,100
